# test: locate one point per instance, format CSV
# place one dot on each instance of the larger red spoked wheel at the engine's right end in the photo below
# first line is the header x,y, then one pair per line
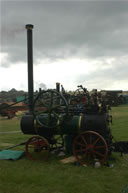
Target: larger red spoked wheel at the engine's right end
x,y
89,146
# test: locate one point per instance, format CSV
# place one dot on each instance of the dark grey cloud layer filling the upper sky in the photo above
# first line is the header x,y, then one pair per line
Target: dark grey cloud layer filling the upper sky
x,y
65,29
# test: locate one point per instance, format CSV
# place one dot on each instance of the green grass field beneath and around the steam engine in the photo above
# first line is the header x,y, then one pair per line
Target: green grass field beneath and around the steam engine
x,y
25,176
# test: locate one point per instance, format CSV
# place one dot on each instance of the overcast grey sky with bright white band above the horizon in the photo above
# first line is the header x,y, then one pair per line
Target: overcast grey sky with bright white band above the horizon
x,y
74,42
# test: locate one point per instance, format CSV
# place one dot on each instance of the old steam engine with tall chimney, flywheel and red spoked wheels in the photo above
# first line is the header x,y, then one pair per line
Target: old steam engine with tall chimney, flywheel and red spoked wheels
x,y
53,116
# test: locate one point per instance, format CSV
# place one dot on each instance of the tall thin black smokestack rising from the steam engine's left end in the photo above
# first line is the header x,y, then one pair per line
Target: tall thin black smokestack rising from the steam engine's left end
x,y
29,28
